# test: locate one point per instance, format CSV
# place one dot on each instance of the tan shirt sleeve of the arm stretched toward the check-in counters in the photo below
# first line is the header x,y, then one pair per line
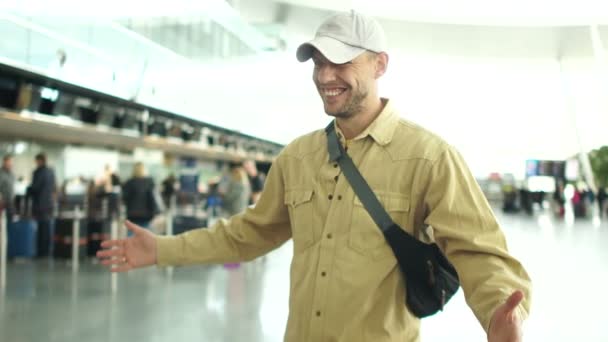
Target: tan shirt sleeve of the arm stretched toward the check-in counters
x,y
242,237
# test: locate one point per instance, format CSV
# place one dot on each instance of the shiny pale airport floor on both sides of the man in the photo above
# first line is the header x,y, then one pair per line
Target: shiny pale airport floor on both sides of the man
x,y
45,301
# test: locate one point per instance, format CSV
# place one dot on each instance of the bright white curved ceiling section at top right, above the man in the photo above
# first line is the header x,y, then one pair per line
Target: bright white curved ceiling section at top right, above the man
x,y
475,12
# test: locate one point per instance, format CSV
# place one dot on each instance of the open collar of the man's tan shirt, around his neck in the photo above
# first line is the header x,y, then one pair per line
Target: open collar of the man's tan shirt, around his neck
x,y
381,129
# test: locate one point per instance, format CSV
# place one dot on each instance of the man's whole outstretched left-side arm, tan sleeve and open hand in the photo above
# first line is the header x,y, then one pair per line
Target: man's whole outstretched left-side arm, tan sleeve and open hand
x,y
243,237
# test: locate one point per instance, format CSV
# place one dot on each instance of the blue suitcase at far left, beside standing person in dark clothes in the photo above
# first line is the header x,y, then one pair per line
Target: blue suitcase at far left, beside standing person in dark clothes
x,y
22,238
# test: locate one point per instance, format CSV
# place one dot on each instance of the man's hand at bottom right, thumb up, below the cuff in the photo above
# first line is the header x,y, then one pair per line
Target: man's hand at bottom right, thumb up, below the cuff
x,y
506,326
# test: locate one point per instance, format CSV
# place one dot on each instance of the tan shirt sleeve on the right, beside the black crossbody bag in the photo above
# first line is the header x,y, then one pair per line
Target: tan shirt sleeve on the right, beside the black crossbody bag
x,y
465,227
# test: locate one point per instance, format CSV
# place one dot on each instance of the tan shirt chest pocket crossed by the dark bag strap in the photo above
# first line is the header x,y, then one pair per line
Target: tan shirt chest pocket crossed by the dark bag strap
x,y
365,237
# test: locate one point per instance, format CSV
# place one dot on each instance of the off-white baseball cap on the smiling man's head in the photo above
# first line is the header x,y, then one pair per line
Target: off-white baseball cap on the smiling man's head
x,y
344,36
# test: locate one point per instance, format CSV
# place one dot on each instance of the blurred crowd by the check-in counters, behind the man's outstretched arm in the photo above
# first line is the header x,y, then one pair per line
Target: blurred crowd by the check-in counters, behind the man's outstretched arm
x,y
137,199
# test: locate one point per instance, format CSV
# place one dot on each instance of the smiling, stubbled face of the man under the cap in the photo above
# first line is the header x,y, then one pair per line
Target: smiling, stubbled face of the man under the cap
x,y
344,87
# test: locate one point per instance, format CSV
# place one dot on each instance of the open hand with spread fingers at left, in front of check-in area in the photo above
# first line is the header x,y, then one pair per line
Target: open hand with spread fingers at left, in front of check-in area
x,y
136,251
